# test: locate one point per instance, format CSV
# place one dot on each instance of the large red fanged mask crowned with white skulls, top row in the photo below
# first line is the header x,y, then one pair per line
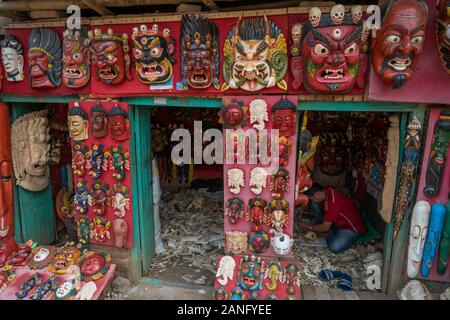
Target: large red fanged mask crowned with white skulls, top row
x,y
329,53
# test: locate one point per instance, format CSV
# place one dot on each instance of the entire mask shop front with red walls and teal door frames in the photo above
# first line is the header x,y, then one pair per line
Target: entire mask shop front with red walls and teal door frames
x,y
126,149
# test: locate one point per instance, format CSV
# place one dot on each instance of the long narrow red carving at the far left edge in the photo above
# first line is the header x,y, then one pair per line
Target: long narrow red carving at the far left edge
x,y
6,172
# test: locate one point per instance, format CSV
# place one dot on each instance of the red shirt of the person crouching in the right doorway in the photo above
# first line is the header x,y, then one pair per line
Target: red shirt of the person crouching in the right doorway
x,y
342,212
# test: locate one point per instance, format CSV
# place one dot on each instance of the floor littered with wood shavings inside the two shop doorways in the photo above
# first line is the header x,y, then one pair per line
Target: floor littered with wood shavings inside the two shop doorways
x,y
192,234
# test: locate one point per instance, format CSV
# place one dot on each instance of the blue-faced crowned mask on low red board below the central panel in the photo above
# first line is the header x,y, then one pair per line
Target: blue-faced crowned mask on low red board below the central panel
x,y
251,272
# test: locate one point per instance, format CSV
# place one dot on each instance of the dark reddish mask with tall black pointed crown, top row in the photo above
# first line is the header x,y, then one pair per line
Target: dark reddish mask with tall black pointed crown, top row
x,y
199,52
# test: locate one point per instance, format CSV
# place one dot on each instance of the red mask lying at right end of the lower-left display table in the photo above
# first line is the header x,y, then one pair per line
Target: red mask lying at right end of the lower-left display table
x,y
93,266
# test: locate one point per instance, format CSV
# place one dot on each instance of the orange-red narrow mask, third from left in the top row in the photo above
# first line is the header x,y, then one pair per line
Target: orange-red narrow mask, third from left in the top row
x,y
76,58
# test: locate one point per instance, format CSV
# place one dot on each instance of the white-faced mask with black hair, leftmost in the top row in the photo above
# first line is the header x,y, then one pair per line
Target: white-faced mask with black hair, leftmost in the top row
x,y
12,58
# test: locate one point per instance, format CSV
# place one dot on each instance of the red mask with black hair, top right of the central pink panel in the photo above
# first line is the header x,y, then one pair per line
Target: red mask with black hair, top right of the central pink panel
x,y
284,118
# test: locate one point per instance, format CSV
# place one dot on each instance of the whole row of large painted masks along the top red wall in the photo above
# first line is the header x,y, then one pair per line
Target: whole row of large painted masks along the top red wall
x,y
328,52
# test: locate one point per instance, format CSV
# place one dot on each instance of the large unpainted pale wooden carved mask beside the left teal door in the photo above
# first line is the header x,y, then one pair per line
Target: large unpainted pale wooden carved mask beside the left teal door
x,y
30,149
